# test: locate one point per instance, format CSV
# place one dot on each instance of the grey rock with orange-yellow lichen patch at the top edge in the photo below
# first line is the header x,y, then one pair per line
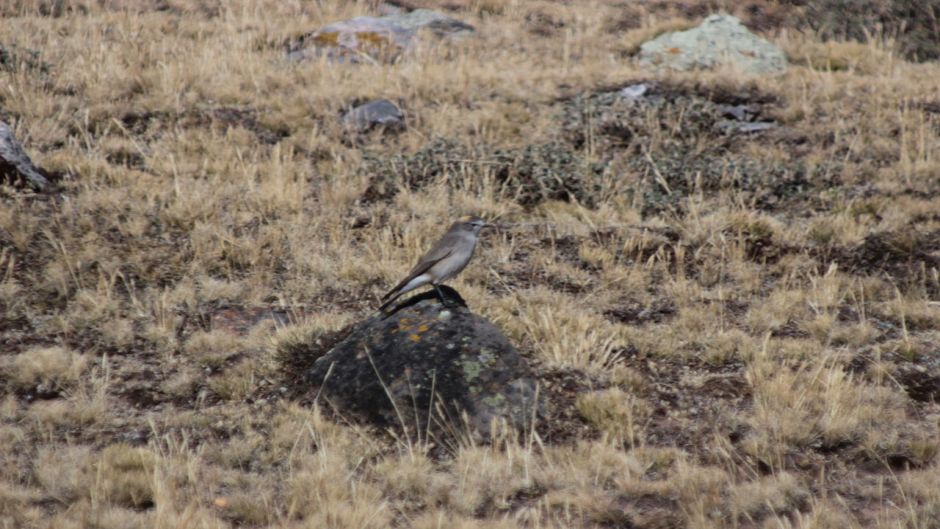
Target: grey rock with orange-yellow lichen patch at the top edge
x,y
375,39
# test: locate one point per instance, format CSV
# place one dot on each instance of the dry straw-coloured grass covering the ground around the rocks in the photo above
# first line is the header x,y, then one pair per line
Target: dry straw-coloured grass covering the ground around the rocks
x,y
749,361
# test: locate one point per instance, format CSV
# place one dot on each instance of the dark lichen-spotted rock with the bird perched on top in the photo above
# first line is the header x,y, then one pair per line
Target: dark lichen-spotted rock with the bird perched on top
x,y
427,361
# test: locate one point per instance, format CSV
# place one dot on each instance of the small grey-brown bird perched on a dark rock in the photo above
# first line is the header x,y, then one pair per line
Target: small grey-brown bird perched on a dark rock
x,y
446,259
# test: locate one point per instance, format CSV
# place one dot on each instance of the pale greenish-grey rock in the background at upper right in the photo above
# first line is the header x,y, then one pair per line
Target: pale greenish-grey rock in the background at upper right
x,y
718,40
